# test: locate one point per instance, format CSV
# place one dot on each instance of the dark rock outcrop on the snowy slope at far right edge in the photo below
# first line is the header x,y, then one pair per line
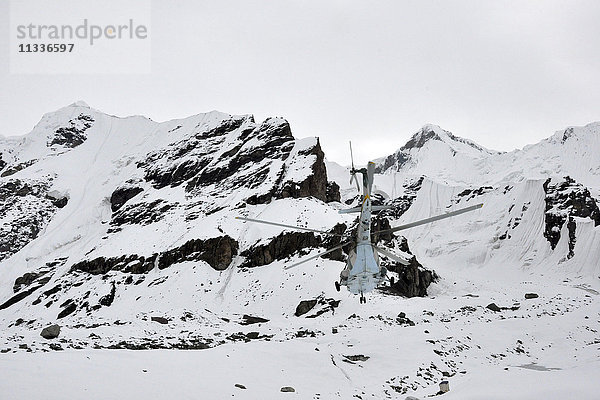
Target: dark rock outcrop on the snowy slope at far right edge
x,y
564,200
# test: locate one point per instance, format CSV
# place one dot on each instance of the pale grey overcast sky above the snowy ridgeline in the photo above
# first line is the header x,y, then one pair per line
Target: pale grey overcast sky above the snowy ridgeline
x,y
502,73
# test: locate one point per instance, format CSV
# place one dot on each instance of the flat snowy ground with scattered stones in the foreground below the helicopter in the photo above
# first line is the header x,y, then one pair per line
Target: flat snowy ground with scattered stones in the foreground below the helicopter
x,y
546,348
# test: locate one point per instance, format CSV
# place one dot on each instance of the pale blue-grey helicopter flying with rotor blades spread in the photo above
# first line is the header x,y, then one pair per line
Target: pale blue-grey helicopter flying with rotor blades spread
x,y
363,271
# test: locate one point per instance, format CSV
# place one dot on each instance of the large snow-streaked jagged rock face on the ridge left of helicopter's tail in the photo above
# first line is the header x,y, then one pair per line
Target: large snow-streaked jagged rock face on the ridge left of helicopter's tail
x,y
240,153
